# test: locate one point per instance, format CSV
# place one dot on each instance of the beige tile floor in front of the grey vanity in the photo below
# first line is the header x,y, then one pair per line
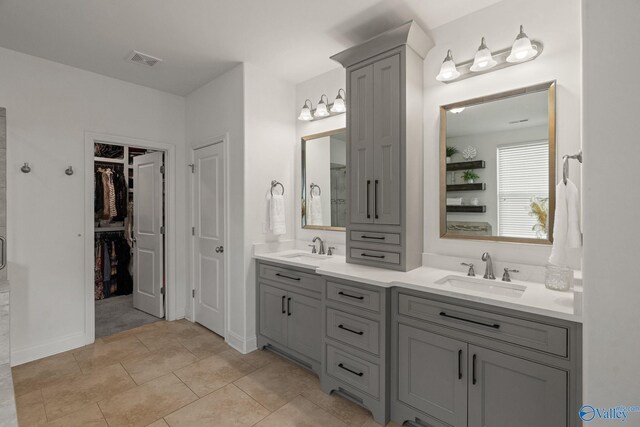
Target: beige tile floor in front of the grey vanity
x,y
174,374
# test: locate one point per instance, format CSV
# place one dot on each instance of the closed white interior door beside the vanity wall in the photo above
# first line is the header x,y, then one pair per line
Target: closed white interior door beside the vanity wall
x,y
208,240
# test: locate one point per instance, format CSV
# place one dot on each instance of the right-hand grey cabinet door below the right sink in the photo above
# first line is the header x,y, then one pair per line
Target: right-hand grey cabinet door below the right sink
x,y
510,391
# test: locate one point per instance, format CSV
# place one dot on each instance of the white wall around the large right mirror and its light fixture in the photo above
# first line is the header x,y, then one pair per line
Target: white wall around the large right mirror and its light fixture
x,y
557,26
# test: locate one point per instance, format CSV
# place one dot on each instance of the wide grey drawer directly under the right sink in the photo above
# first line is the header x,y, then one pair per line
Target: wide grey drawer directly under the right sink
x,y
527,333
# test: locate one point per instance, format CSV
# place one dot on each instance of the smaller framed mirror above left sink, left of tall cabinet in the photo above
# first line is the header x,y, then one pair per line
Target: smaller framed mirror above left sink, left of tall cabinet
x,y
324,180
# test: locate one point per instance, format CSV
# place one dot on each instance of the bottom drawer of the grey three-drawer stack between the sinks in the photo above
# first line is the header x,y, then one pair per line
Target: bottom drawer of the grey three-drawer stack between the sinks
x,y
353,371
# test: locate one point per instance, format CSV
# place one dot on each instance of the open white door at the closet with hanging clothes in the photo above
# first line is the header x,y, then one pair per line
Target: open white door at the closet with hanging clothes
x,y
148,227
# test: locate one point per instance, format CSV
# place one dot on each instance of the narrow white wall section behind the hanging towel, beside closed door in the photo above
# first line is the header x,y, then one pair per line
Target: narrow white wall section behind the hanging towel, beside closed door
x,y
269,130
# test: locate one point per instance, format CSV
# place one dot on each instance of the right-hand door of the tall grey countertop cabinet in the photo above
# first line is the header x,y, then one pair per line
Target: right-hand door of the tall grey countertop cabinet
x,y
386,141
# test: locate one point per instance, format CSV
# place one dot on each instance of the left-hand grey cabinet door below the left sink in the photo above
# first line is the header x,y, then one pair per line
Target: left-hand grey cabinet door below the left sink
x,y
273,314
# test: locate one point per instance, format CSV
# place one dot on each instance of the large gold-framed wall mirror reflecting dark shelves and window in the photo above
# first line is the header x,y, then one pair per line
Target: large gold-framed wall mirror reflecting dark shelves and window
x,y
497,166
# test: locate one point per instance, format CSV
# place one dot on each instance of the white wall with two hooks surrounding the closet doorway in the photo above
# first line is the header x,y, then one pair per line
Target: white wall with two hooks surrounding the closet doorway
x,y
49,108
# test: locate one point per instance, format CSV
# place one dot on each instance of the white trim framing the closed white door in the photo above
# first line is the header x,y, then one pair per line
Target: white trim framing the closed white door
x,y
224,140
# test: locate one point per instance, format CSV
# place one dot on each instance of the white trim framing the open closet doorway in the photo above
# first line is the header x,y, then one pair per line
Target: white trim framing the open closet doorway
x,y
170,214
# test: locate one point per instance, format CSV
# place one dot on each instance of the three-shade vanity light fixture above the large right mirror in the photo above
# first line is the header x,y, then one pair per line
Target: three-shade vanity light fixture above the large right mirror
x,y
522,50
